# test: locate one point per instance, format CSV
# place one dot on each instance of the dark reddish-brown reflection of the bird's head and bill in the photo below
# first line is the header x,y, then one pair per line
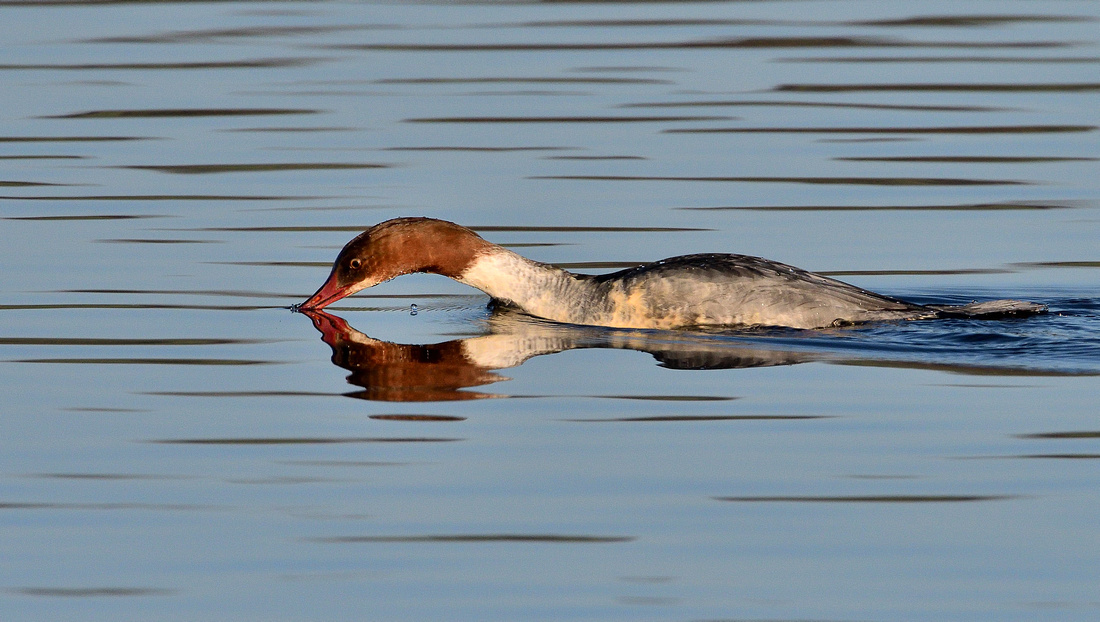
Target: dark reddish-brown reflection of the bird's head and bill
x,y
400,373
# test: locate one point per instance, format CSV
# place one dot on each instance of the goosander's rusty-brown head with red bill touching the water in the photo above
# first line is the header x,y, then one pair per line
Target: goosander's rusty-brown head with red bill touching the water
x,y
399,247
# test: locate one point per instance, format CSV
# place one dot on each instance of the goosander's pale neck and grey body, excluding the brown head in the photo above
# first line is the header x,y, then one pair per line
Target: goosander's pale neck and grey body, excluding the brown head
x,y
699,290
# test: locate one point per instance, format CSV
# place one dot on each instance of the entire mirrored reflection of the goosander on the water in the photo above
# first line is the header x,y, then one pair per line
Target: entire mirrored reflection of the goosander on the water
x,y
405,373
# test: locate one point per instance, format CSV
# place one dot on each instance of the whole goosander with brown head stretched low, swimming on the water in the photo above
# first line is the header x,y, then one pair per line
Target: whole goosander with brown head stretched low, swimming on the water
x,y
696,290
